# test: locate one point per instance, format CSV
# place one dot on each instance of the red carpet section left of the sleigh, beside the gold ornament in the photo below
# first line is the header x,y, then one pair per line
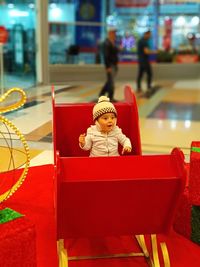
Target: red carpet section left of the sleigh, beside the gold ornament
x,y
35,199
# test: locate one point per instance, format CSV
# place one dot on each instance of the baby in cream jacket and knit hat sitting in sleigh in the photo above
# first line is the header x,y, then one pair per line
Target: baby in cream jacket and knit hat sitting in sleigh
x,y
102,139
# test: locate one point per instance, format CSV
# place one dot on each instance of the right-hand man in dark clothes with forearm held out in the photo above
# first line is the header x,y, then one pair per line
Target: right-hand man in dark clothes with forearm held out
x,y
144,65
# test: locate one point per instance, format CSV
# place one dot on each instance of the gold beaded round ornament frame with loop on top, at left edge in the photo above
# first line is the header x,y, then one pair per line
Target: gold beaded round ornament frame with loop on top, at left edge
x,y
5,109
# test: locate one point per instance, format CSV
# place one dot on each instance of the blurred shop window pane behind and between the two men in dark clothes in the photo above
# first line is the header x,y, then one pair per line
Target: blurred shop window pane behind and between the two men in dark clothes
x,y
132,19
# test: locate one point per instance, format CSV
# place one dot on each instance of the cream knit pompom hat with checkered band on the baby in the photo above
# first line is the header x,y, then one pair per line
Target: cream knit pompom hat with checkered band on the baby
x,y
103,106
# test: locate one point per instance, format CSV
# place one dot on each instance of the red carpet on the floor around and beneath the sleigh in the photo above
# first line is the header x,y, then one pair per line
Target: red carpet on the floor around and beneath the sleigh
x,y
35,200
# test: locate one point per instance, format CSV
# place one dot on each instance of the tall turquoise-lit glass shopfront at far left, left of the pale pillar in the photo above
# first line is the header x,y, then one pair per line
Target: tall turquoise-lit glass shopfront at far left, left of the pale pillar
x,y
19,51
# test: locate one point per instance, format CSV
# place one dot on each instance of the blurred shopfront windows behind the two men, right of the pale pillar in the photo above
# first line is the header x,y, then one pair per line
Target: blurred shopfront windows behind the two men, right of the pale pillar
x,y
84,23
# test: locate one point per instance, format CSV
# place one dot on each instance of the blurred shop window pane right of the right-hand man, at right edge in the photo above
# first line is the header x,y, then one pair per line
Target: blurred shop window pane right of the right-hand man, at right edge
x,y
179,30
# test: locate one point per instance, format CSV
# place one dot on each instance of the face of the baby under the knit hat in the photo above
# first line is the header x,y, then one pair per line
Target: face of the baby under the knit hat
x,y
107,122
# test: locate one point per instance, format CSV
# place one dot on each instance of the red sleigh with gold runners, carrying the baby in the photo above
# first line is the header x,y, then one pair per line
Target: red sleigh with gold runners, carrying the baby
x,y
133,195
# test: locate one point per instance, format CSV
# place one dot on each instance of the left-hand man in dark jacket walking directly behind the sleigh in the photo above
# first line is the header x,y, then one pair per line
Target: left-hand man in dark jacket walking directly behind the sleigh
x,y
110,56
